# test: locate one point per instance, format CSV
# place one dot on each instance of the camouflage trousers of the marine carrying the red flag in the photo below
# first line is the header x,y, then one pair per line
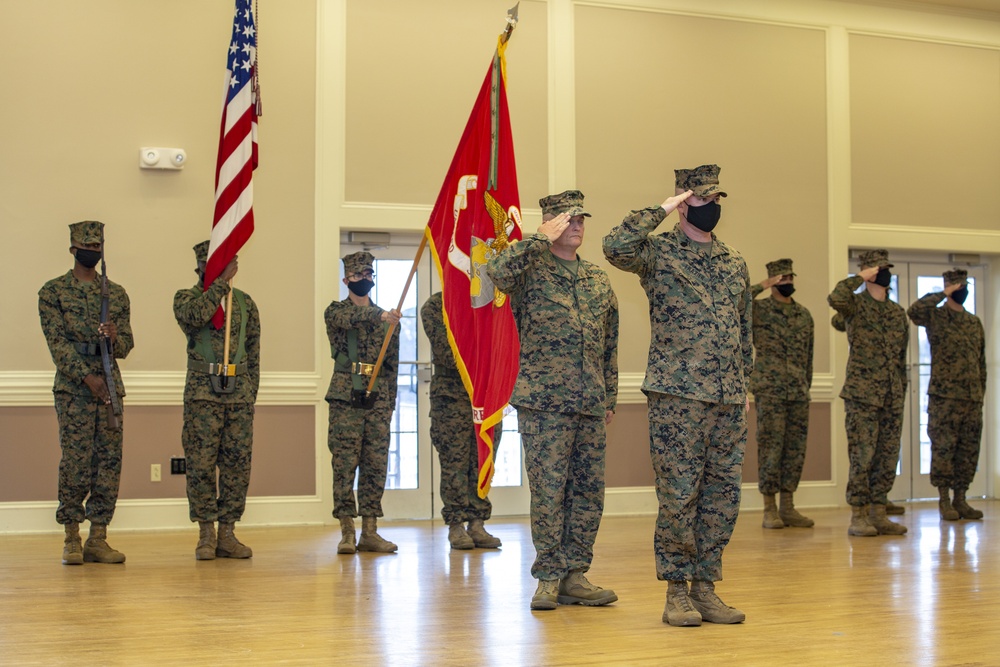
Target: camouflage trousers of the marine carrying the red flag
x,y
359,443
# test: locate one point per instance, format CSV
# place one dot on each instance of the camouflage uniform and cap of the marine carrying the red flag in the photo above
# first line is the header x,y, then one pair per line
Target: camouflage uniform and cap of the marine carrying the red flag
x,y
359,438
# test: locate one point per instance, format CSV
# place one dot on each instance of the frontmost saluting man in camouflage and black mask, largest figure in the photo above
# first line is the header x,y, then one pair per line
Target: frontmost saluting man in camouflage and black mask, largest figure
x,y
699,366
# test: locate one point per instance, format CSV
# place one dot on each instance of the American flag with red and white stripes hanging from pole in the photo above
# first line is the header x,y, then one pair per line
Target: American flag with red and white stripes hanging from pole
x,y
233,221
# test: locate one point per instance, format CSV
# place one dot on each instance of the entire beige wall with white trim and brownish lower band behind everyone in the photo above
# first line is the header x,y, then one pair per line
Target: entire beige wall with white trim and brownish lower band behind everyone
x,y
837,125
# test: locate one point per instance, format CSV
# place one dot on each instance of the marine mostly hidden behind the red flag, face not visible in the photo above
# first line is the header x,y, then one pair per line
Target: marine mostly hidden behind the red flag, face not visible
x,y
453,434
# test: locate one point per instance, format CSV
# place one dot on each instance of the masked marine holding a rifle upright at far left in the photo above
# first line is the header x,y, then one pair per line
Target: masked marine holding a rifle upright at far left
x,y
70,310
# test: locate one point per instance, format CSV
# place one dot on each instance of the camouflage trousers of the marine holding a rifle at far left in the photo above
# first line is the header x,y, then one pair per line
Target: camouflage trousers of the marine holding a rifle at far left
x,y
91,463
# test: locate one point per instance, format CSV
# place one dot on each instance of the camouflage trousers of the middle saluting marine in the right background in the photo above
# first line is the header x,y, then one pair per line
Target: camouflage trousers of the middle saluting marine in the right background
x,y
873,434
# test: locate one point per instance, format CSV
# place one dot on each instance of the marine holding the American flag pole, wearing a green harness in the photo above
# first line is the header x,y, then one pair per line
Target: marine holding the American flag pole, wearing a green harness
x,y
218,418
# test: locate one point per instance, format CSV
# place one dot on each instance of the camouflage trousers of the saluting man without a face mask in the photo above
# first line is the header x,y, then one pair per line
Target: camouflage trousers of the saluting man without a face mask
x,y
564,457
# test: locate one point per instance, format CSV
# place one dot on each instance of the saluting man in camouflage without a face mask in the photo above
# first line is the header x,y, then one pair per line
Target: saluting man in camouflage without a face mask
x,y
565,394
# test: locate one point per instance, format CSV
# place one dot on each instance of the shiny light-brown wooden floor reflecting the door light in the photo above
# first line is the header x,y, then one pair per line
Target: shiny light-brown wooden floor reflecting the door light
x,y
812,597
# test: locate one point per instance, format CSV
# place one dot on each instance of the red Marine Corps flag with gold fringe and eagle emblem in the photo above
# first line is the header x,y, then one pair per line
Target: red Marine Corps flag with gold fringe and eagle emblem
x,y
476,215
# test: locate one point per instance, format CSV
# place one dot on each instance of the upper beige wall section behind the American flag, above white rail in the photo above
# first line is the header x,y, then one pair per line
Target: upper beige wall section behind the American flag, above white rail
x,y
89,84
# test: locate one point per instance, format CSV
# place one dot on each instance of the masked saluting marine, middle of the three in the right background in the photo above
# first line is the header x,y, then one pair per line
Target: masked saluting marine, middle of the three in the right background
x,y
874,391
